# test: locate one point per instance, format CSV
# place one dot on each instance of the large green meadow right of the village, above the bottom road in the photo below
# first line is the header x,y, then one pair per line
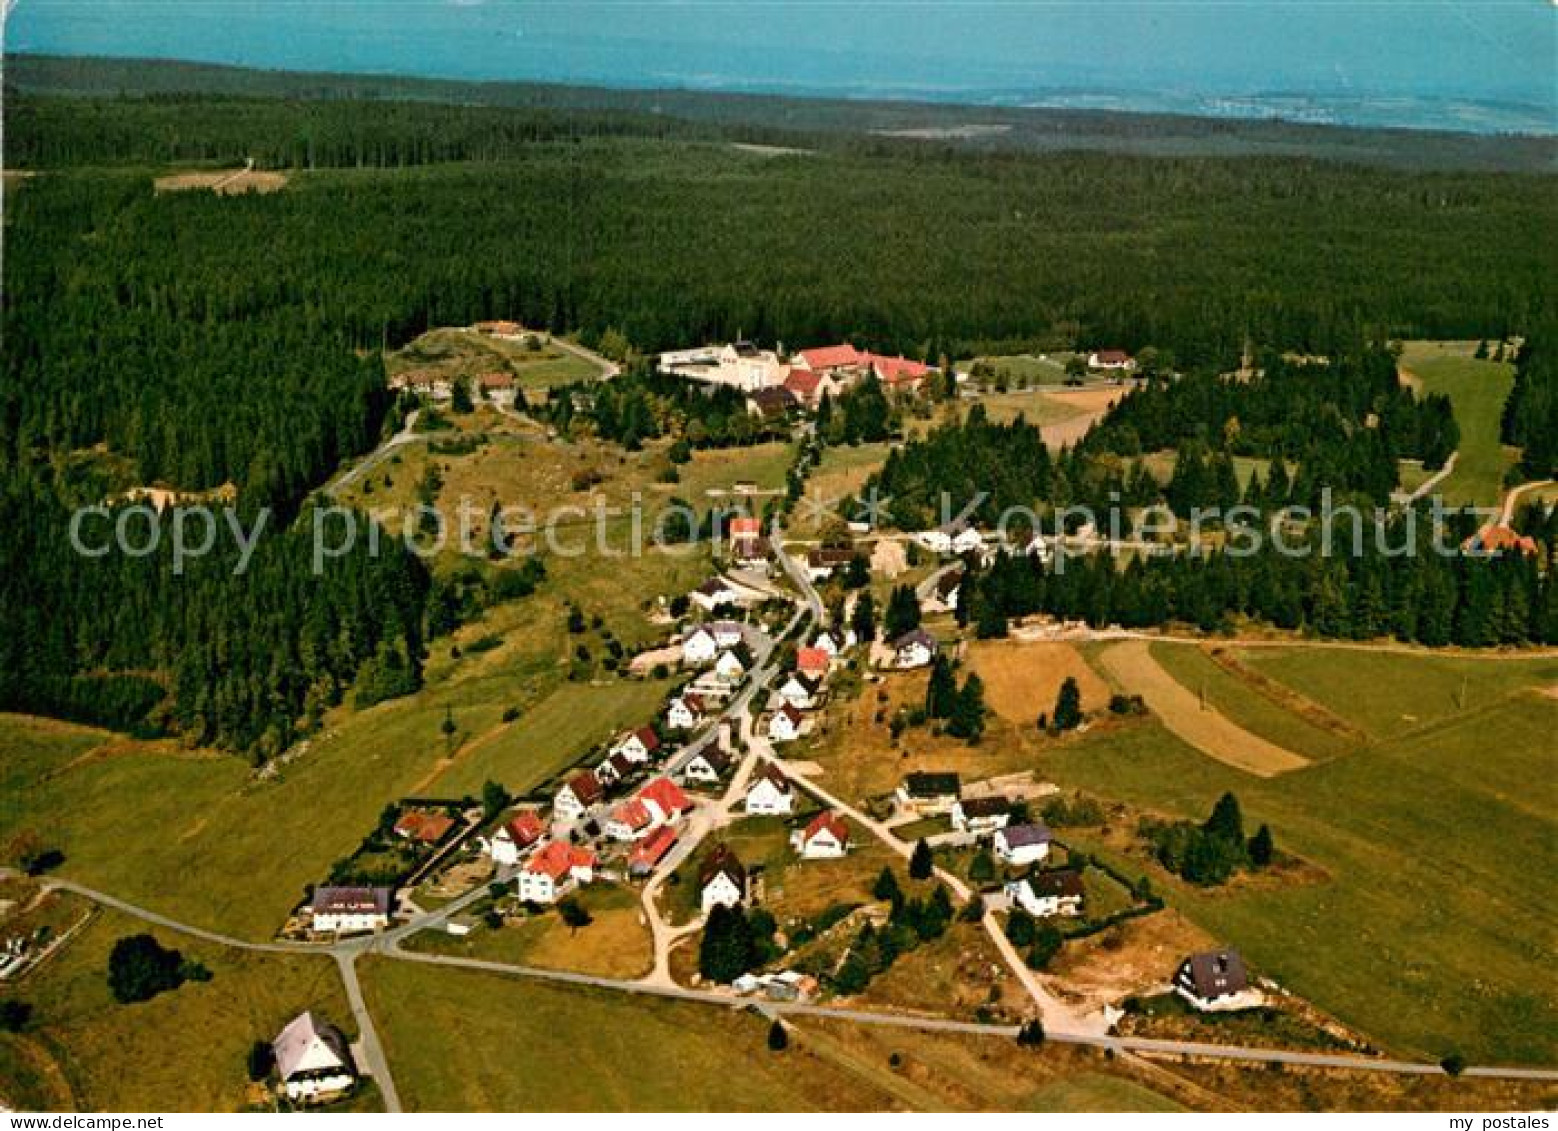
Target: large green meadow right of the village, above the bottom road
x,y
1426,923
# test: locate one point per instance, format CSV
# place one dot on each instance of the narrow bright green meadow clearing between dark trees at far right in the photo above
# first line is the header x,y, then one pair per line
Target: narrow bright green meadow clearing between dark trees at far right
x,y
1478,392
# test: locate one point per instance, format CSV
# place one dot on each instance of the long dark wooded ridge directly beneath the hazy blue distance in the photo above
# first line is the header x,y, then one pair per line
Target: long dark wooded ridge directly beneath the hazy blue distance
x,y
942,124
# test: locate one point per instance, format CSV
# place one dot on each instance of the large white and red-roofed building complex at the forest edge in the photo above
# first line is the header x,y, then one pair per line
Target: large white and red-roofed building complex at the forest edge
x,y
777,382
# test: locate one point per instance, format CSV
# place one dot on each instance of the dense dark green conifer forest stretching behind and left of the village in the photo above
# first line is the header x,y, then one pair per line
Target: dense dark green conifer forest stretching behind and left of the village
x,y
199,340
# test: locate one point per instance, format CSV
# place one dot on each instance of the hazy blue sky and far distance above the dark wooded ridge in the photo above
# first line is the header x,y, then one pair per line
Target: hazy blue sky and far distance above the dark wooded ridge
x,y
1481,69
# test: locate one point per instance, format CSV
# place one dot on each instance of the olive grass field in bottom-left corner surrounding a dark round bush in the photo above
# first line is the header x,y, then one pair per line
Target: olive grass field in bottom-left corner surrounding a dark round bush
x,y
178,1052
